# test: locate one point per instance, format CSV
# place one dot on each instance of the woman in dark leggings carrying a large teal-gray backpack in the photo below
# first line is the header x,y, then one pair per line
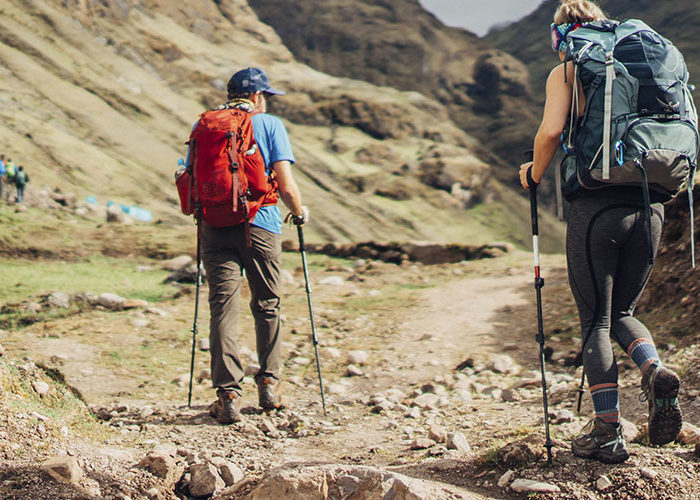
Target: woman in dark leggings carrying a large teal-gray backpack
x,y
620,105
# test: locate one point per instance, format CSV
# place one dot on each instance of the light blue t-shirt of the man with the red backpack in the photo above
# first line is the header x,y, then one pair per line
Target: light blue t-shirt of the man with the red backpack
x,y
274,145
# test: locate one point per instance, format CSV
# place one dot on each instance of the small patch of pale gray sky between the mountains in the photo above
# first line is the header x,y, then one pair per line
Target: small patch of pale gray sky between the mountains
x,y
478,16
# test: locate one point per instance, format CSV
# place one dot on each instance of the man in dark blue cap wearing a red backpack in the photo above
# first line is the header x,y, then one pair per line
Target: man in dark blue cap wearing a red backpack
x,y
254,246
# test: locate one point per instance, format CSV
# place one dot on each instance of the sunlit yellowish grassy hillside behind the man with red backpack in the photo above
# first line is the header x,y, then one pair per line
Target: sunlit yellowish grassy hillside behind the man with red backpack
x,y
97,98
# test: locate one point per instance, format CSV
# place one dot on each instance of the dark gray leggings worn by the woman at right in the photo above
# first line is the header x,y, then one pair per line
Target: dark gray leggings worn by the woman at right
x,y
607,251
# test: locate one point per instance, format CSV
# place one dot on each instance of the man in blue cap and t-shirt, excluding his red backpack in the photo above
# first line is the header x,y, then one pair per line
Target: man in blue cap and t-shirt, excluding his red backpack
x,y
253,247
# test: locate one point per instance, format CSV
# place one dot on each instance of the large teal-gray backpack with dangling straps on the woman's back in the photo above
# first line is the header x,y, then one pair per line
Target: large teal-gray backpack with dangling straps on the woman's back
x,y
640,126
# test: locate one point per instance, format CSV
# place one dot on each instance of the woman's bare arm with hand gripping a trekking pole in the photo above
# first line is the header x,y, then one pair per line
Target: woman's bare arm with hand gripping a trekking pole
x,y
557,110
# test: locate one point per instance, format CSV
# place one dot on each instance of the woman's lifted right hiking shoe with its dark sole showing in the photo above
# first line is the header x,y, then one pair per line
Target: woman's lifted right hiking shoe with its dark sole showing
x,y
660,387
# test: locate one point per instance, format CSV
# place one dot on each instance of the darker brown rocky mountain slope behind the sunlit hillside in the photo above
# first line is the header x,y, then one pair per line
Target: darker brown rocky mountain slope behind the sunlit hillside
x,y
400,44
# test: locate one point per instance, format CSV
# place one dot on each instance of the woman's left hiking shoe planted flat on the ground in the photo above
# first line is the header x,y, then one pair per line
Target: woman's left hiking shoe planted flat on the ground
x,y
602,441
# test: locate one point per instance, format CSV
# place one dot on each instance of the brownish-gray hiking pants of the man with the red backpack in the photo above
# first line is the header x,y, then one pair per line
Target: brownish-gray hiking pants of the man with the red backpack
x,y
225,256
